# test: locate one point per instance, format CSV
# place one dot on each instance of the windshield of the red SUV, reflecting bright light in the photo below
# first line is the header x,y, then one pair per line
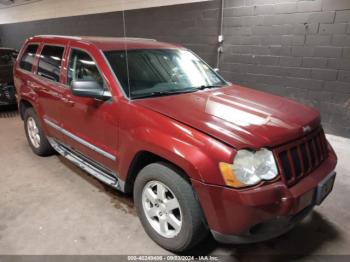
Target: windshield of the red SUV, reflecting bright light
x,y
161,71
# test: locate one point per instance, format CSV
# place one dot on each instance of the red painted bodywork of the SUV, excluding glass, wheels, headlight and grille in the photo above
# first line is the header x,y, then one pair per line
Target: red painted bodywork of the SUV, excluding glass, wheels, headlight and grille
x,y
195,131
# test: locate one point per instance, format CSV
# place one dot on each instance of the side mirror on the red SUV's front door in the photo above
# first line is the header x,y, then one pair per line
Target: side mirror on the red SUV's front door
x,y
91,89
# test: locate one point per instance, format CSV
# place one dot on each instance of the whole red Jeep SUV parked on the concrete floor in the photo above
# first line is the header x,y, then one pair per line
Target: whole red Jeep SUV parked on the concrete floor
x,y
199,154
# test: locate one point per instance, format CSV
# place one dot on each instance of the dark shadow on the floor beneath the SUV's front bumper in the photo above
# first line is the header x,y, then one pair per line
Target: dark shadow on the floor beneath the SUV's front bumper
x,y
302,241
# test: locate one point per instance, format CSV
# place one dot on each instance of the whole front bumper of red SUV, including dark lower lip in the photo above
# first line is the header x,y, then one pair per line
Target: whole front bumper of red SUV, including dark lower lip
x,y
260,213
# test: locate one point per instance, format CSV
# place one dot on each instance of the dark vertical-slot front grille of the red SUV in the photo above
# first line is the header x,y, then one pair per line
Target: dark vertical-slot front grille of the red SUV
x,y
297,159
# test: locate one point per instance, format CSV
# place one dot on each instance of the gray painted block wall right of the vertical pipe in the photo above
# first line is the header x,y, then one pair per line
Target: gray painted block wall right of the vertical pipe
x,y
298,49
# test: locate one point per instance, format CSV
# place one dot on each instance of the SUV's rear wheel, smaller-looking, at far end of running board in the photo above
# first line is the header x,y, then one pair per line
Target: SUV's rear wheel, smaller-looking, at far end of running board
x,y
41,145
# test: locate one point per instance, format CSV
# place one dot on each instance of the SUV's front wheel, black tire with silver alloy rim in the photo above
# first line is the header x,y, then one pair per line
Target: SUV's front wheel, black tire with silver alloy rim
x,y
193,227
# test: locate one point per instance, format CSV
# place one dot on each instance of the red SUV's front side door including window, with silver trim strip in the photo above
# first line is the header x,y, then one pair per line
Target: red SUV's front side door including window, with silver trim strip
x,y
90,125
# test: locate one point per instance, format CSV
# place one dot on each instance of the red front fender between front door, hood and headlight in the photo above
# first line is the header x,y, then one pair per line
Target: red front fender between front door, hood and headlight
x,y
196,153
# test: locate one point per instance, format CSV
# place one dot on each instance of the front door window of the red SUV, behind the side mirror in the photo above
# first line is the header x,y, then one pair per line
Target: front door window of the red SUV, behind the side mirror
x,y
83,68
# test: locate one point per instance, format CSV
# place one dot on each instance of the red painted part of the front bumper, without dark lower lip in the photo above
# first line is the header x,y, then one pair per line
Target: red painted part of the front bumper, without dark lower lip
x,y
233,211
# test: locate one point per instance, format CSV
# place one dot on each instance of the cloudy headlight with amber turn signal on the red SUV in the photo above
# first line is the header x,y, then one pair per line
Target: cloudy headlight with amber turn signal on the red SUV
x,y
249,168
